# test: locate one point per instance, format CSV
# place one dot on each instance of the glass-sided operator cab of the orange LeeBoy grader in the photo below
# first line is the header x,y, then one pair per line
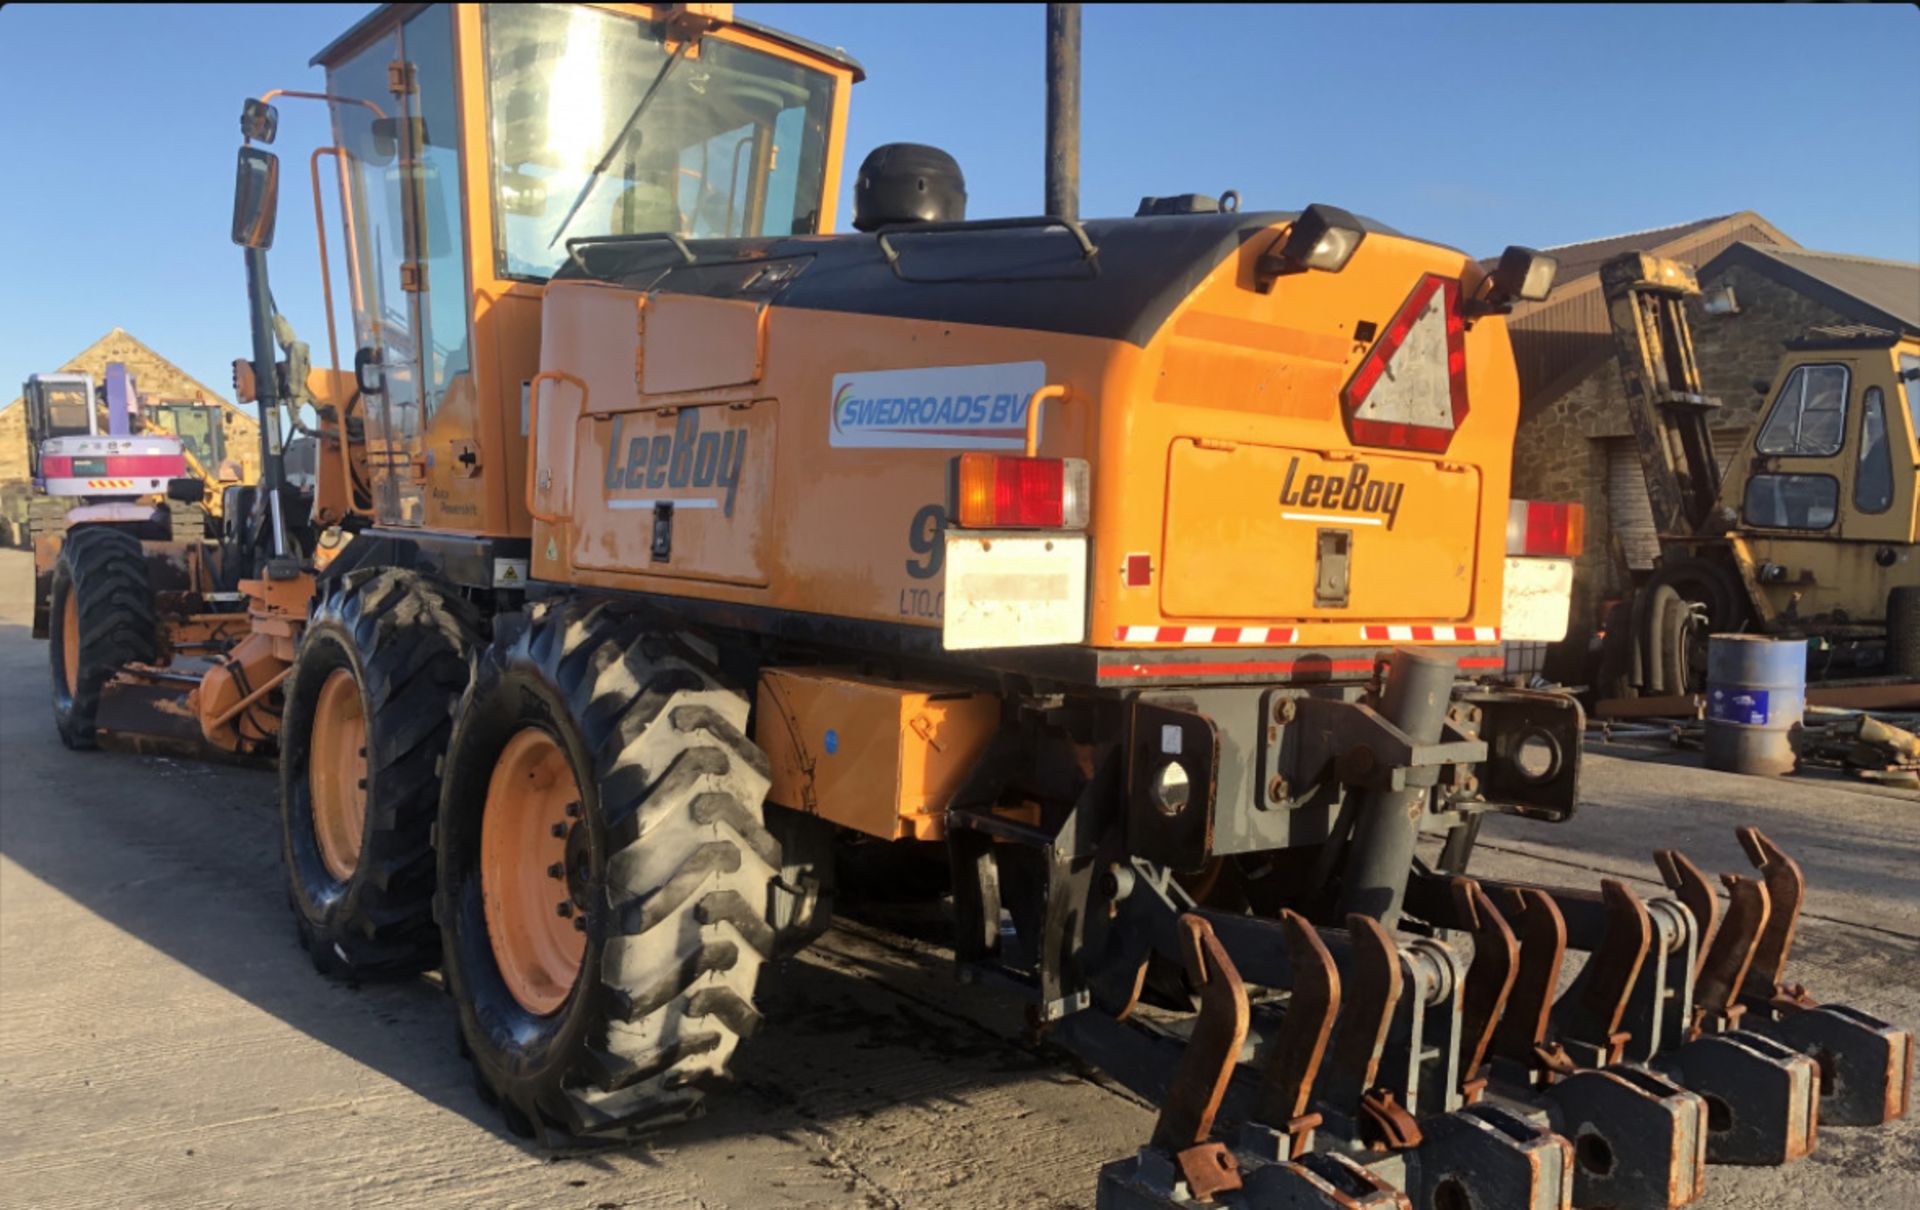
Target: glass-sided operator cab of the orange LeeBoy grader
x,y
471,147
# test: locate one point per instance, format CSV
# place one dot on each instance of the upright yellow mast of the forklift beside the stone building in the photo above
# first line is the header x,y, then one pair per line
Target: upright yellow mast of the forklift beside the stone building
x,y
1666,402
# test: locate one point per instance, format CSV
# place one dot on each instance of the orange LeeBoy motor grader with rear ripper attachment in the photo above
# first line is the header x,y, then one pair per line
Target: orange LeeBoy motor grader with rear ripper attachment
x,y
1153,571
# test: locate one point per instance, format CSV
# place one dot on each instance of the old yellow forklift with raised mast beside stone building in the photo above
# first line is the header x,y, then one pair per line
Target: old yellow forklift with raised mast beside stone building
x,y
1813,531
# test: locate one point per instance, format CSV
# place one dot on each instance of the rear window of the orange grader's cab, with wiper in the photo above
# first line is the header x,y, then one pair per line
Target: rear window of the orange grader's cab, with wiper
x,y
731,143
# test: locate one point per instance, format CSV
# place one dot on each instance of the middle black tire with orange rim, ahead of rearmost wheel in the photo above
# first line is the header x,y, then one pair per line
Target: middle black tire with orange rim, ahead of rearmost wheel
x,y
395,648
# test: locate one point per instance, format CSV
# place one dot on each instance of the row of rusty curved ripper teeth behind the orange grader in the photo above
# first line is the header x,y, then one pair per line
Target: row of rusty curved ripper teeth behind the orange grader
x,y
1683,1042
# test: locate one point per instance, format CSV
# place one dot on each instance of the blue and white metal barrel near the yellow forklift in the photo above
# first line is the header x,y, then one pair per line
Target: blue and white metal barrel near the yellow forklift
x,y
1756,700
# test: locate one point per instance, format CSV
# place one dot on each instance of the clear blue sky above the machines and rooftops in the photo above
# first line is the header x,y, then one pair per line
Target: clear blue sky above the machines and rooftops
x,y
1474,126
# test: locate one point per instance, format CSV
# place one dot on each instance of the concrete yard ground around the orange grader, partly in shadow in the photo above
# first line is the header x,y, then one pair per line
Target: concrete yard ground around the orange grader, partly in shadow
x,y
164,1044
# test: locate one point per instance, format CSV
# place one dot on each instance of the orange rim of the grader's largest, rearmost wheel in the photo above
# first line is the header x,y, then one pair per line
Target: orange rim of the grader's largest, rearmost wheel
x,y
531,844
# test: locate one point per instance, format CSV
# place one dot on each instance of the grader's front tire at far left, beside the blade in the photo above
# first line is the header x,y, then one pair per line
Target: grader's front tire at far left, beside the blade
x,y
103,617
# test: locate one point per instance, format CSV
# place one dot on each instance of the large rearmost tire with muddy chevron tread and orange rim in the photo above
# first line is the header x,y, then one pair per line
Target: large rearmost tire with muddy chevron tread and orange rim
x,y
667,877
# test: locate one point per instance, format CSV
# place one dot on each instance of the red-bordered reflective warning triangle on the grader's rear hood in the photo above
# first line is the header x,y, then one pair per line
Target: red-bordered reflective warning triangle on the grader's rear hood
x,y
1410,393
